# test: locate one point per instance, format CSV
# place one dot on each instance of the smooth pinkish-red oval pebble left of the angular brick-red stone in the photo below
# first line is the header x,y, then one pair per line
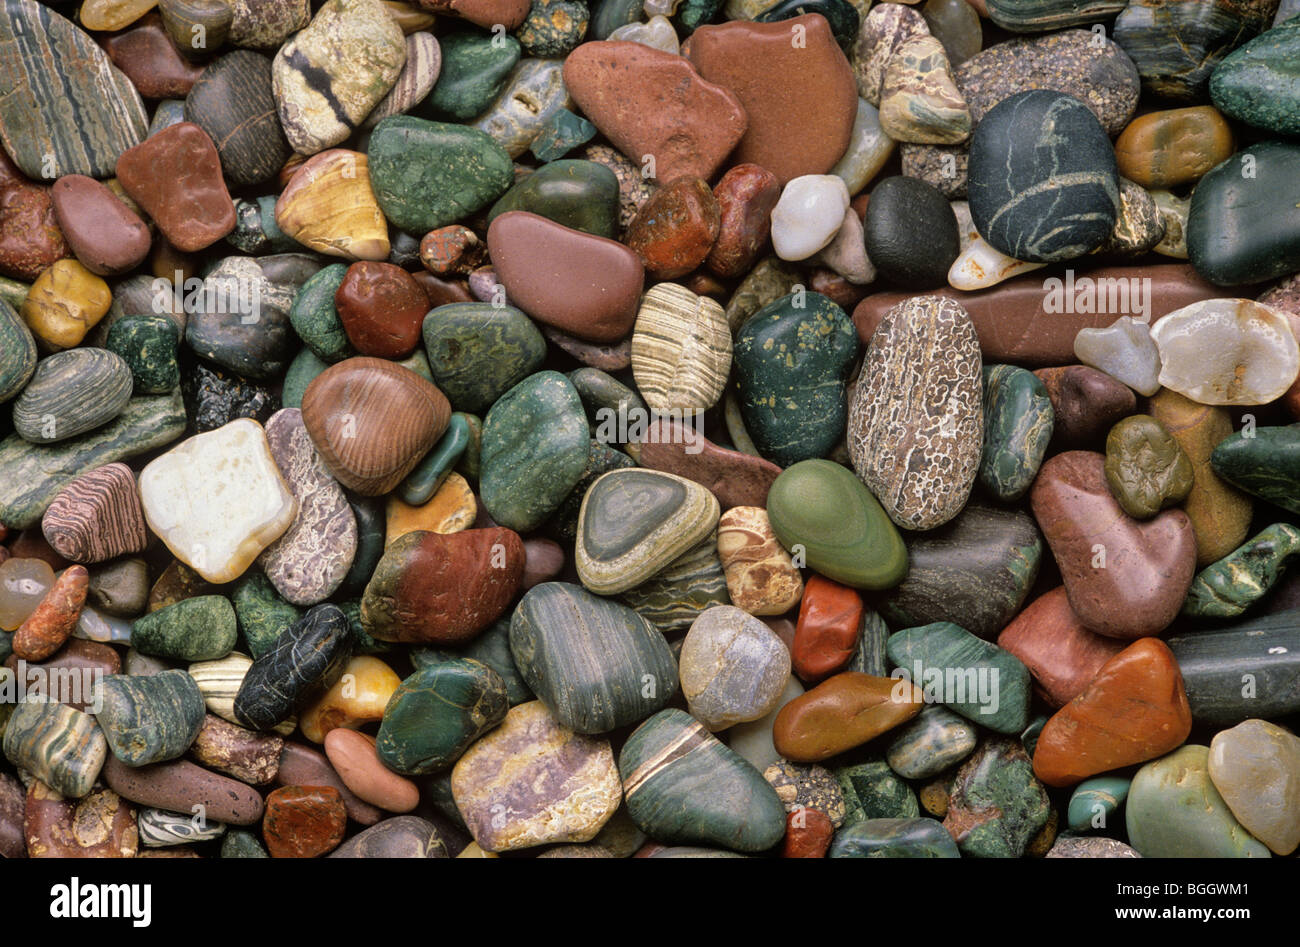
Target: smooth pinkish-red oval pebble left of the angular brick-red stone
x,y
106,236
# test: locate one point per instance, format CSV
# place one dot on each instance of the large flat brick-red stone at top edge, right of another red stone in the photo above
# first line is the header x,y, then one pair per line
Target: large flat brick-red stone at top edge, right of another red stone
x,y
775,81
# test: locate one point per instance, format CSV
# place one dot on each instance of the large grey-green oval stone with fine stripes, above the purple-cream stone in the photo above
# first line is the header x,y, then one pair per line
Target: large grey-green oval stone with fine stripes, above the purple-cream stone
x,y
610,668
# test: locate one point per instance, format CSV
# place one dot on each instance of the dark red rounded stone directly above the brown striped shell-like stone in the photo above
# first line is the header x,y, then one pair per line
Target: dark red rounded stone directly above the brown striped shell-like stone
x,y
383,309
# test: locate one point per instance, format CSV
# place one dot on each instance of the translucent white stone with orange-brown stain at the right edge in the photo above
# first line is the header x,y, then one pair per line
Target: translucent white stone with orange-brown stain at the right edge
x,y
1228,352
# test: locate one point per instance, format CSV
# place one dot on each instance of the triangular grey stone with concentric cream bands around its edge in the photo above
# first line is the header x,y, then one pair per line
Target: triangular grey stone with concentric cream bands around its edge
x,y
617,551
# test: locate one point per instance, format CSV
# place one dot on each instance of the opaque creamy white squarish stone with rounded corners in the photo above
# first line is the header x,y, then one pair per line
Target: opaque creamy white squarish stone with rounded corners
x,y
218,500
